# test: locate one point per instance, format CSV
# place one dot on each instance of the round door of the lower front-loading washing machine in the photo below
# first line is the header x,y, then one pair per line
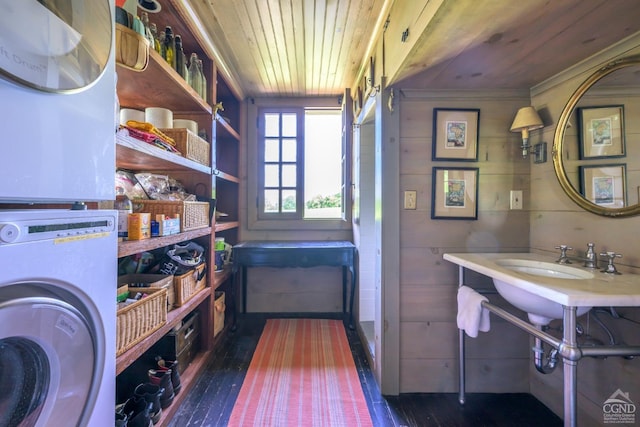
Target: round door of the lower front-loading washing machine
x,y
47,368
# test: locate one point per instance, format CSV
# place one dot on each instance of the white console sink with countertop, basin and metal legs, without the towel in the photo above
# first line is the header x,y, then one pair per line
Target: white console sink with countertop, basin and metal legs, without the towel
x,y
547,290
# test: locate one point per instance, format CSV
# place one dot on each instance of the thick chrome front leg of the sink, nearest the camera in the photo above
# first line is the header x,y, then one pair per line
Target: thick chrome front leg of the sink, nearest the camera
x,y
570,369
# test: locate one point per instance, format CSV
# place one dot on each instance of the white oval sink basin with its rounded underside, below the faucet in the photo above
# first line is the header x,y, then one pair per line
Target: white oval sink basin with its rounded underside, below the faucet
x,y
540,310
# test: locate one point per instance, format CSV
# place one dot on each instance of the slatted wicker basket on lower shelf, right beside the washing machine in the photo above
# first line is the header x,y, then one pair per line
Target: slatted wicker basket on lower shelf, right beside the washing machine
x,y
140,319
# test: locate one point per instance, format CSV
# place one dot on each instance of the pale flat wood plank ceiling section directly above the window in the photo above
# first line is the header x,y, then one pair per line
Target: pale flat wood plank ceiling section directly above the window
x,y
296,47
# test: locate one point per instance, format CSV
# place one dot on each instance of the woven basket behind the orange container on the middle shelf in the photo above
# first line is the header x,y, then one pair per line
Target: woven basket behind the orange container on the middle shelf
x,y
192,214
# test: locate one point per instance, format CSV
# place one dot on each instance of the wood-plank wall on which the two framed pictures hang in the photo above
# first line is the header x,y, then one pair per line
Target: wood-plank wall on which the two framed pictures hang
x,y
497,361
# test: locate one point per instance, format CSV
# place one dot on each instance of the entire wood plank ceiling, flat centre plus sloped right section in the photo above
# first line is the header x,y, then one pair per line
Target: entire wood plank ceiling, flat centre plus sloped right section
x,y
319,47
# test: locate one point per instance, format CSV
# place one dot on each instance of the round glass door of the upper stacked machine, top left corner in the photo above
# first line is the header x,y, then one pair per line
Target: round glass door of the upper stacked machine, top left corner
x,y
55,45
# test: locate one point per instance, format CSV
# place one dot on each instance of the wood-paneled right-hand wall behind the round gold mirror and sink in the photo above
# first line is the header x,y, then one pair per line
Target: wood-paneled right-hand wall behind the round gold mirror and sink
x,y
555,220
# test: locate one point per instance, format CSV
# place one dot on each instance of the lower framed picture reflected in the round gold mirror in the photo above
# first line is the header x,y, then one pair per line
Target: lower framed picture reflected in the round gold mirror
x,y
604,185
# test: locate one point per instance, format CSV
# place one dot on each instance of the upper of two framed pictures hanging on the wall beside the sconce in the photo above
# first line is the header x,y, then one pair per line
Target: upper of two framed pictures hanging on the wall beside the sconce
x,y
455,134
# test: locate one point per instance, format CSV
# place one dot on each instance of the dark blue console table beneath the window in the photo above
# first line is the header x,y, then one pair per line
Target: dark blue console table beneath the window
x,y
298,254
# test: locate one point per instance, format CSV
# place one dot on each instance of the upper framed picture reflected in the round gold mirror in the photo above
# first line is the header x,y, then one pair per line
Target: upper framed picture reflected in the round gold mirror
x,y
601,131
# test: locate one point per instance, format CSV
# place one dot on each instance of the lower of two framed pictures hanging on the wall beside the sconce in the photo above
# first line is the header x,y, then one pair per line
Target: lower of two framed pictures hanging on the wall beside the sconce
x,y
454,193
